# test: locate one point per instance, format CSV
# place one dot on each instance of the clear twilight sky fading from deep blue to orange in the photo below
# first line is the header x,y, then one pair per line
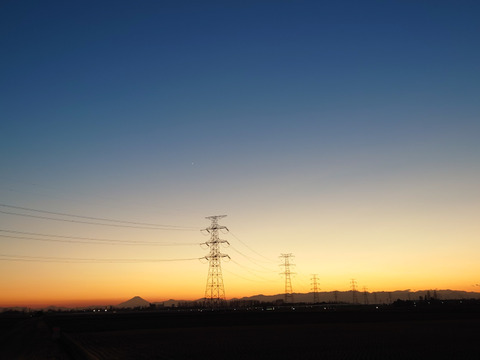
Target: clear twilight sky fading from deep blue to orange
x,y
342,132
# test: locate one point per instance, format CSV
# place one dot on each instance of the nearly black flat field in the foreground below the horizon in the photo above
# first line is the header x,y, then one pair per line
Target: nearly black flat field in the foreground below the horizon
x,y
234,335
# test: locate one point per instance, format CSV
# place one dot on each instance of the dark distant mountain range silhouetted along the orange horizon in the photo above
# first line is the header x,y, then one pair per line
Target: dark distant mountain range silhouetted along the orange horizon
x,y
377,297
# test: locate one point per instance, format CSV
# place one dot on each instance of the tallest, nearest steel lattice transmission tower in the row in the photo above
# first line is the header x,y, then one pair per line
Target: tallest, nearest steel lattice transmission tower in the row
x,y
215,292
